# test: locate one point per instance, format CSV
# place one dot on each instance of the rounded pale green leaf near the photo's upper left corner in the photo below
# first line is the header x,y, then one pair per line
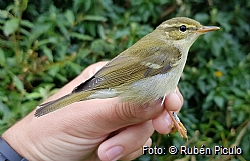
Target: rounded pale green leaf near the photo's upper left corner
x,y
10,26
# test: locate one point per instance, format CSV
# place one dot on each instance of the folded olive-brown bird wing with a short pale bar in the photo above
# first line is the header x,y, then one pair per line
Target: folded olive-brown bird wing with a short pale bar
x,y
132,65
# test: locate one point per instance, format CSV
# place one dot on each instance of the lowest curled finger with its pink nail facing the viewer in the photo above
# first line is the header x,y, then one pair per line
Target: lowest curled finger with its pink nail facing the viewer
x,y
126,142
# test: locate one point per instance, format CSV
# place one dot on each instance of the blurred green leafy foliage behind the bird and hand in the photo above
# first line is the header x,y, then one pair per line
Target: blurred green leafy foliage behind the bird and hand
x,y
45,44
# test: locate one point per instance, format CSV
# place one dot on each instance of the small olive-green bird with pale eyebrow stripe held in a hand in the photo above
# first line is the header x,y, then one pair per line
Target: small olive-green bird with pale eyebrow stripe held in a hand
x,y
147,71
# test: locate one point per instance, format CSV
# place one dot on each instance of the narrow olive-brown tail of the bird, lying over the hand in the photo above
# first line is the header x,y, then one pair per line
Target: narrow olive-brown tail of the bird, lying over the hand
x,y
61,102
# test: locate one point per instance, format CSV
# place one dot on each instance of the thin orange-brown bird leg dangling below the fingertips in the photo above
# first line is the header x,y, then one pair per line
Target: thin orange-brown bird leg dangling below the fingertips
x,y
177,125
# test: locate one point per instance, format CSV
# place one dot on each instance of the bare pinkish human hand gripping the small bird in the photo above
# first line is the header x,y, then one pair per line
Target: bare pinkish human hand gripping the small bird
x,y
99,129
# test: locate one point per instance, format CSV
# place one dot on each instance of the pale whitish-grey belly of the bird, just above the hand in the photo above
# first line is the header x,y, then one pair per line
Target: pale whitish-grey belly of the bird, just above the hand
x,y
150,89
